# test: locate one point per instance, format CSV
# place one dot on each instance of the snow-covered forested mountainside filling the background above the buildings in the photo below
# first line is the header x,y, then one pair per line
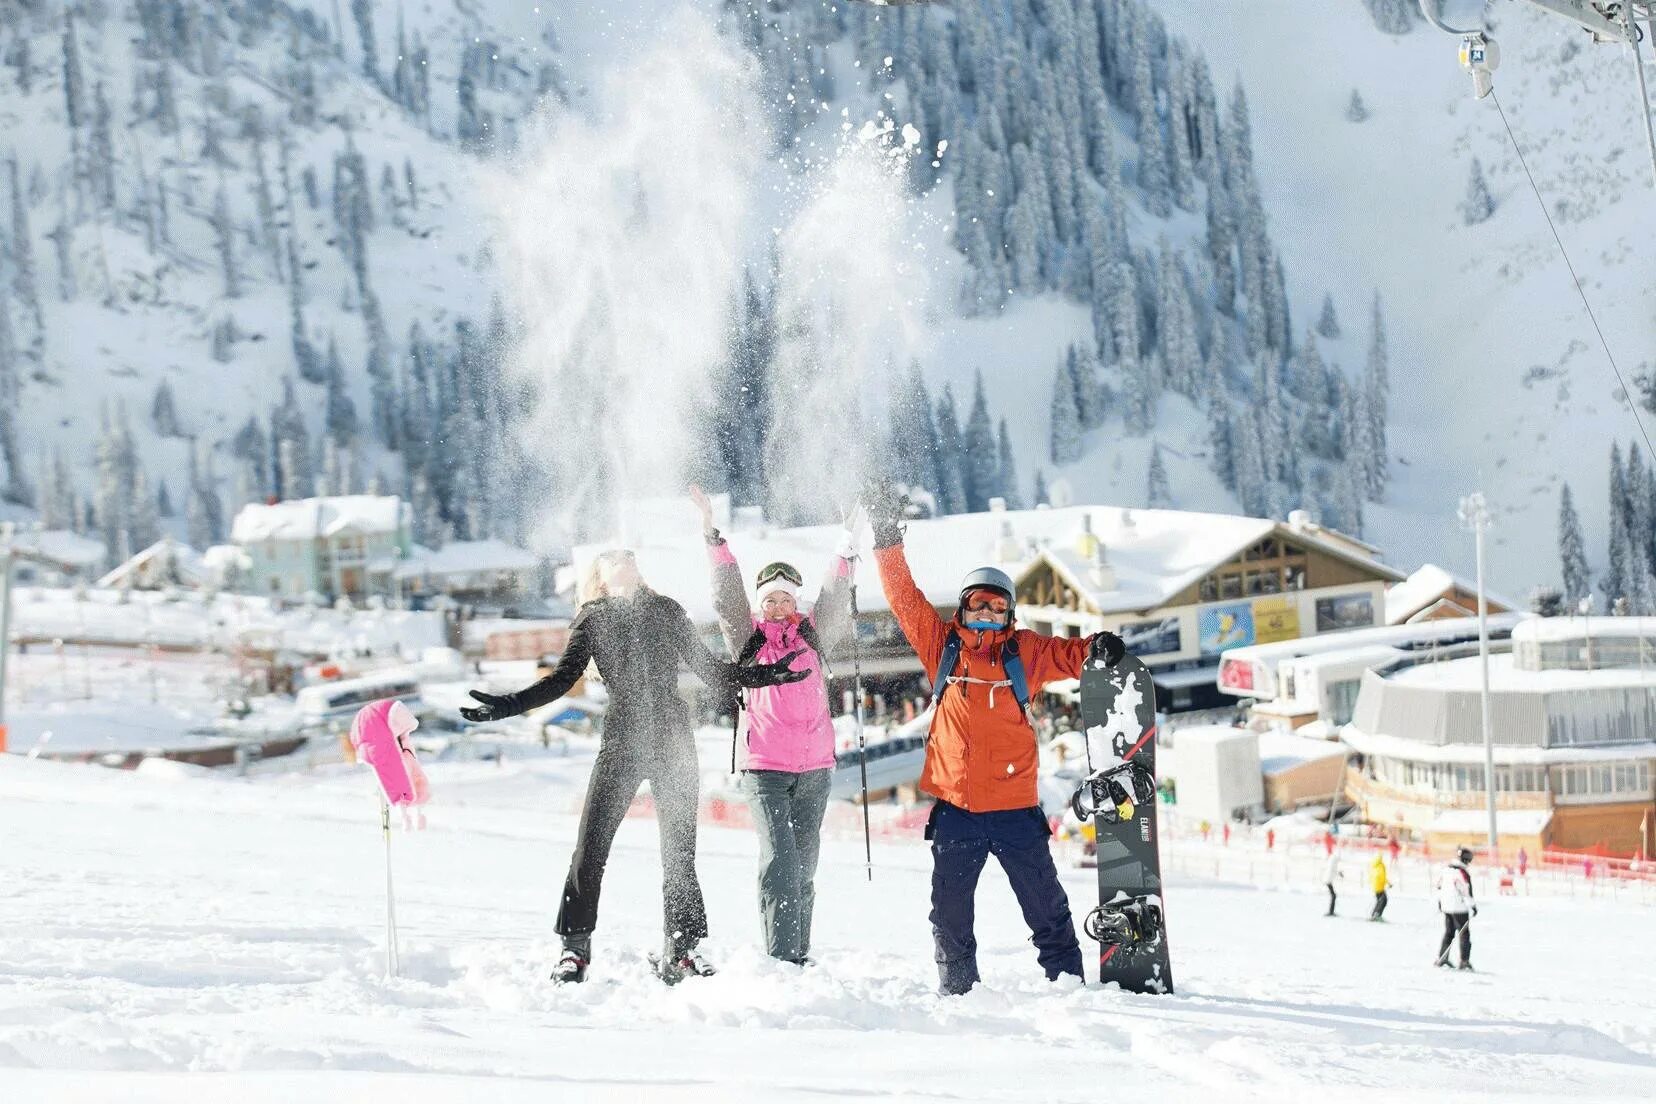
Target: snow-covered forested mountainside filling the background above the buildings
x,y
567,203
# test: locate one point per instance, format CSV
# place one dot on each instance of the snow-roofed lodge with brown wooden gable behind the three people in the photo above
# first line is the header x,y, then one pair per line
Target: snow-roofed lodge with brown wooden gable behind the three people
x,y
1180,587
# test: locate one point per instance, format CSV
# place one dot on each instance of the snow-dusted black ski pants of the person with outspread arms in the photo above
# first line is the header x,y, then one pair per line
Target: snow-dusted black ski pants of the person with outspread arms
x,y
673,780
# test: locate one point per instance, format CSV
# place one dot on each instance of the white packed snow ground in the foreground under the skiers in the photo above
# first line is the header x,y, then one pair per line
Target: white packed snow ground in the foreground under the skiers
x,y
175,934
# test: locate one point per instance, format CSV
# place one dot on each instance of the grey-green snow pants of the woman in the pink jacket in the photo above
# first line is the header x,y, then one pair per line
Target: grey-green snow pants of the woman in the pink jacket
x,y
789,818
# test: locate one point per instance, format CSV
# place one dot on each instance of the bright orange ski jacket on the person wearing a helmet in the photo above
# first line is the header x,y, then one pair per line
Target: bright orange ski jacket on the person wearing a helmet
x,y
981,752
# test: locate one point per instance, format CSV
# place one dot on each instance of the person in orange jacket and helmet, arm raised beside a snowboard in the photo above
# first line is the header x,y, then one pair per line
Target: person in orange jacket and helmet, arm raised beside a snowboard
x,y
981,757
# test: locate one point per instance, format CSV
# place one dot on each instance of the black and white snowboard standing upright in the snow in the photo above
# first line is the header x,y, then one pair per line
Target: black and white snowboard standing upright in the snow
x,y
1119,714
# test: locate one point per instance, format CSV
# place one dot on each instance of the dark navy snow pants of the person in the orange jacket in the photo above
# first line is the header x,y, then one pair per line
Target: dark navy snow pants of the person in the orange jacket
x,y
1019,840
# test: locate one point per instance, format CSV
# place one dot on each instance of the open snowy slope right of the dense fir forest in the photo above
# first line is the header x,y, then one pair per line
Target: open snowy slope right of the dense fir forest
x,y
1498,378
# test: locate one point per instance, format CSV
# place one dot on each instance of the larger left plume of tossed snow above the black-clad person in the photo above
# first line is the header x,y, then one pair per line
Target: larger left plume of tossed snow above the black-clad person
x,y
622,246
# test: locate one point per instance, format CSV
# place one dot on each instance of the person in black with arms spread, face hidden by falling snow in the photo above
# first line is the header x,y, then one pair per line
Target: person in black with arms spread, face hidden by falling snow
x,y
637,638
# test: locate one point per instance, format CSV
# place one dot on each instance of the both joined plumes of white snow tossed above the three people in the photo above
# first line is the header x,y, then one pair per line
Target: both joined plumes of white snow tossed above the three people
x,y
625,238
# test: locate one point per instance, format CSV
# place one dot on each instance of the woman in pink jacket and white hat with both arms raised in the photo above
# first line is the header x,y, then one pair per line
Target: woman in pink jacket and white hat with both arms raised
x,y
787,770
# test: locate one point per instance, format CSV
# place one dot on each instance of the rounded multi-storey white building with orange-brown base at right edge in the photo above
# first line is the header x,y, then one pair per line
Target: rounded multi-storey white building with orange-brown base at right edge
x,y
1572,726
